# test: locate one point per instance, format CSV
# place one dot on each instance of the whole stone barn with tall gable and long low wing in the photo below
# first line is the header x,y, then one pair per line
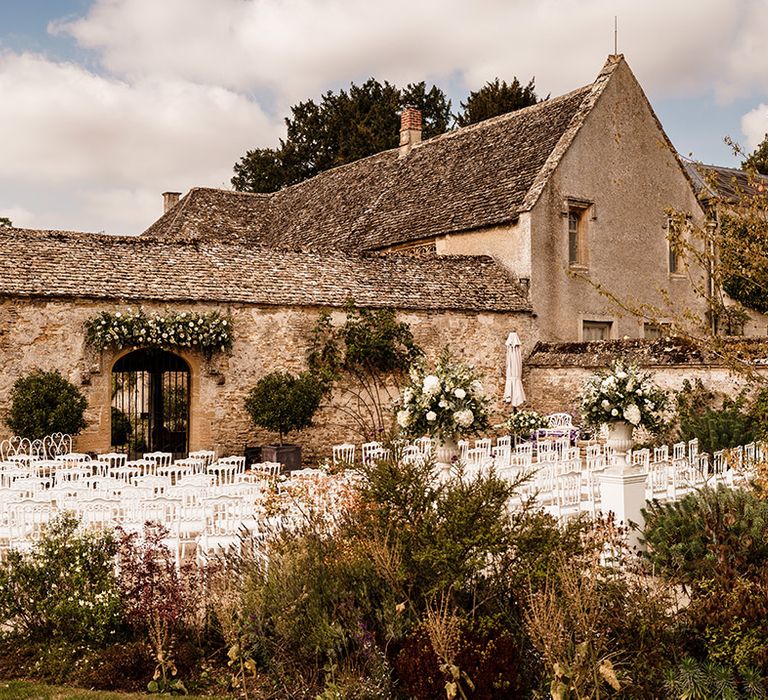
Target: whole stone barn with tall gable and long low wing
x,y
503,225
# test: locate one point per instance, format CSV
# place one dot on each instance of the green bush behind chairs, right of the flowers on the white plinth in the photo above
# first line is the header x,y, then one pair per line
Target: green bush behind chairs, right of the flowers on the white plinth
x,y
718,421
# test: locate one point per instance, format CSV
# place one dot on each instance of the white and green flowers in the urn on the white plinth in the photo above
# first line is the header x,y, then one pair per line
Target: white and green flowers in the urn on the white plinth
x,y
625,394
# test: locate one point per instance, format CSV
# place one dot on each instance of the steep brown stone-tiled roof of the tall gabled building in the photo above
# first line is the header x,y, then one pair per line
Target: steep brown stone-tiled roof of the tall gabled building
x,y
479,176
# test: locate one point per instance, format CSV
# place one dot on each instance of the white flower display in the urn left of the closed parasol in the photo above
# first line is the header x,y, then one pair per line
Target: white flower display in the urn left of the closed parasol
x,y
445,404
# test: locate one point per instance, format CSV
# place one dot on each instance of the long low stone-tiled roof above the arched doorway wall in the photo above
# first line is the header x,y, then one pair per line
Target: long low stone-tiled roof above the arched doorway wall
x,y
55,264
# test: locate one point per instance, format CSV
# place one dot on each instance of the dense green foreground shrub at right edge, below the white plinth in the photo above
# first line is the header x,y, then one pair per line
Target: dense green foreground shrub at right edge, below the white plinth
x,y
707,533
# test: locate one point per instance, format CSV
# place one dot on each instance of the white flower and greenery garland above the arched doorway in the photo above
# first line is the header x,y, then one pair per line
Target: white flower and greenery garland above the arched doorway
x,y
209,333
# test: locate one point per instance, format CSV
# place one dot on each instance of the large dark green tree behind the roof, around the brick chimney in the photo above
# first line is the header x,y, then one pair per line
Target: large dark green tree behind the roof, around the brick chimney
x,y
342,128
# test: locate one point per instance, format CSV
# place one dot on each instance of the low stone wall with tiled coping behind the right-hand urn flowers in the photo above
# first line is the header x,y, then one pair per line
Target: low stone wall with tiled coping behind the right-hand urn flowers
x,y
554,373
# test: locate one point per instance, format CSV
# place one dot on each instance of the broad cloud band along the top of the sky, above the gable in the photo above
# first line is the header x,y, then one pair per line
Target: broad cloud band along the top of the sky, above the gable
x,y
298,48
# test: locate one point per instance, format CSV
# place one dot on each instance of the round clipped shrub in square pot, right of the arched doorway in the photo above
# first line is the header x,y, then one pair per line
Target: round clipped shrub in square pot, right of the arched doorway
x,y
282,403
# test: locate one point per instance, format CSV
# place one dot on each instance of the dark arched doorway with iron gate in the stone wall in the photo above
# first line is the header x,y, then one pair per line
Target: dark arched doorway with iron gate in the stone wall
x,y
150,403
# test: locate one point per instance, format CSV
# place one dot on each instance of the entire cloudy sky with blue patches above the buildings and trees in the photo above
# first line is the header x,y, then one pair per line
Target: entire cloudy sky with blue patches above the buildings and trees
x,y
108,103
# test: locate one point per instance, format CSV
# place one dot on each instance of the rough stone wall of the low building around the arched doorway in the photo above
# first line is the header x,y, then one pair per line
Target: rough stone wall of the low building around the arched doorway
x,y
49,334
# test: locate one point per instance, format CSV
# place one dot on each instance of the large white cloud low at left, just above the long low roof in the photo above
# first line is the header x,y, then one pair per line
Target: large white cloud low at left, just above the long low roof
x,y
69,126
